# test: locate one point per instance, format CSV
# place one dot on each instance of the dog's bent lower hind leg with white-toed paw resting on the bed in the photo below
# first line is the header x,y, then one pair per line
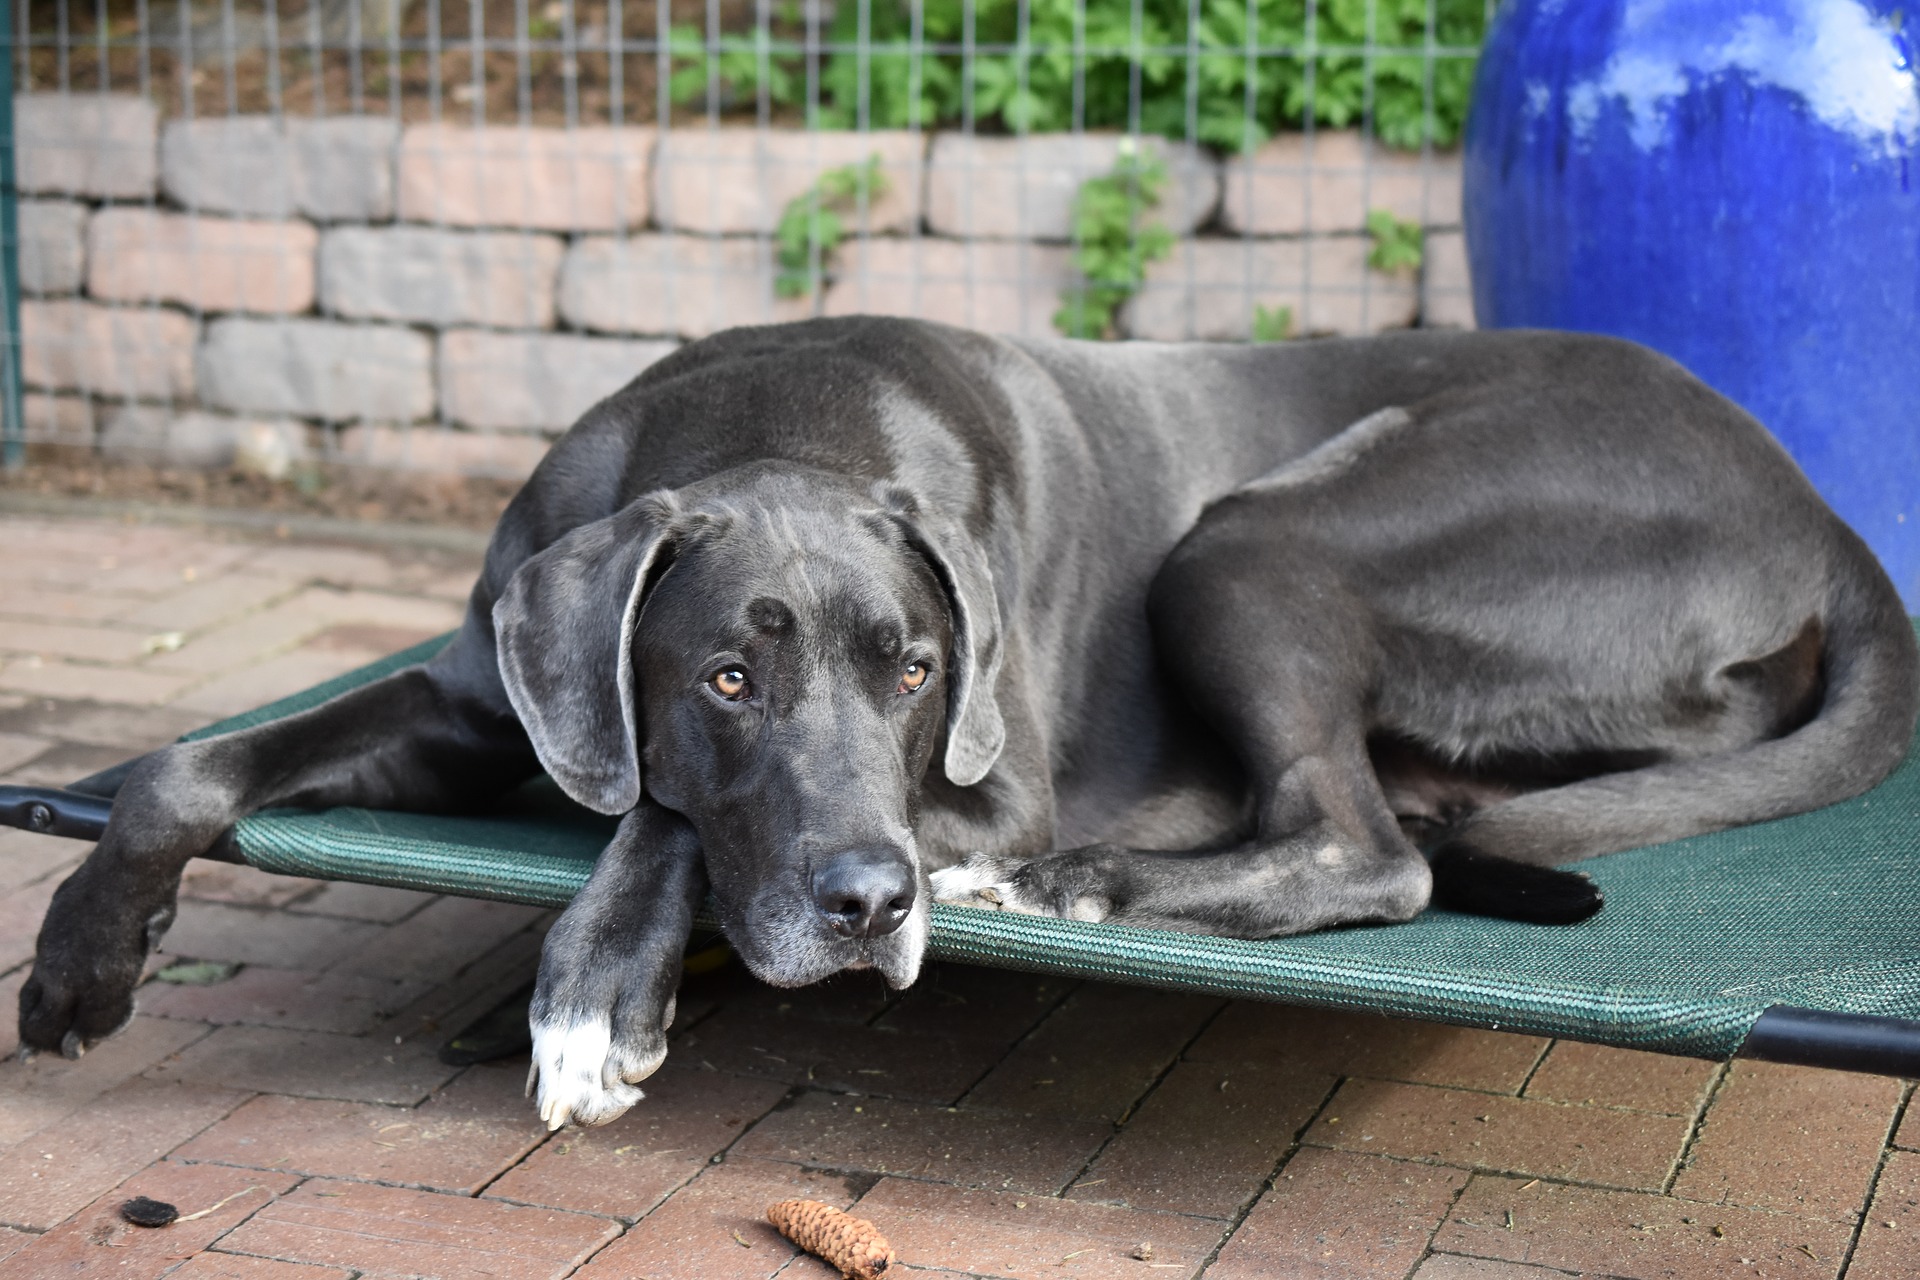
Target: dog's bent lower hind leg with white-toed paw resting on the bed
x,y
1285,692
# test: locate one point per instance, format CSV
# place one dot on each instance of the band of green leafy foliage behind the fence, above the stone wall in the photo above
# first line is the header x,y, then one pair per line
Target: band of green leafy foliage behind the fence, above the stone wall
x,y
1255,68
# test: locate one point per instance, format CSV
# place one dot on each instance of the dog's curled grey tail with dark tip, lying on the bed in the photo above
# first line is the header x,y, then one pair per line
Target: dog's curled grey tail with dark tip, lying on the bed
x,y
1871,669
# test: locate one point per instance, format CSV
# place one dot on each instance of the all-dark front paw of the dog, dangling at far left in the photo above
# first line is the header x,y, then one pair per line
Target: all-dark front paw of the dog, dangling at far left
x,y
85,970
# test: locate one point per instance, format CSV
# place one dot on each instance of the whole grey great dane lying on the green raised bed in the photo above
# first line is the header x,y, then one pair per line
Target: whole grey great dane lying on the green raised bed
x,y
852,615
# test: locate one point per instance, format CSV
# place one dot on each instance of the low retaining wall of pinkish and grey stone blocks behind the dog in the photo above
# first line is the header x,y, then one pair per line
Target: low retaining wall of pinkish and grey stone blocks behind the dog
x,y
450,298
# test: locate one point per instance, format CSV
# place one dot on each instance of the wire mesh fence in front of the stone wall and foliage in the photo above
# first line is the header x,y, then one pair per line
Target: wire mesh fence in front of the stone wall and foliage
x,y
427,233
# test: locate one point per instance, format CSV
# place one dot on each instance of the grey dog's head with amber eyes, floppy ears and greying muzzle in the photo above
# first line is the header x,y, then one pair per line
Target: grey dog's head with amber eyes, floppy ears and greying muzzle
x,y
779,655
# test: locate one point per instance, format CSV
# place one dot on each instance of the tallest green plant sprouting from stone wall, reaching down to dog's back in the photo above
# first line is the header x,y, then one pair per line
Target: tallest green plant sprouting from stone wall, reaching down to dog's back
x,y
1113,243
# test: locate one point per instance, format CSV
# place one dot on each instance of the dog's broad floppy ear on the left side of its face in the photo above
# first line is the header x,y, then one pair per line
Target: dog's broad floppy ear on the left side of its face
x,y
565,628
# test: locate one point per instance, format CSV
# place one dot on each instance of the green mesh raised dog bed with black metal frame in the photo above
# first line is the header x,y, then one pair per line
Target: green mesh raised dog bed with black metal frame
x,y
1796,939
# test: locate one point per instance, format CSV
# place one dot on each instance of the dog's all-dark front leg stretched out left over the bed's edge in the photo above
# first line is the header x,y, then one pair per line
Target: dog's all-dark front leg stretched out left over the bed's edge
x,y
427,738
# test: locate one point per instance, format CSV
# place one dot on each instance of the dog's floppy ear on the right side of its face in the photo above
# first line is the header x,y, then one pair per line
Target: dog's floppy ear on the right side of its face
x,y
974,728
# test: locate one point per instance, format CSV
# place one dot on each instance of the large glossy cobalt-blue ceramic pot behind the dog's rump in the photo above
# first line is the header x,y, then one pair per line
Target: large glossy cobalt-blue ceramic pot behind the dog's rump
x,y
1735,183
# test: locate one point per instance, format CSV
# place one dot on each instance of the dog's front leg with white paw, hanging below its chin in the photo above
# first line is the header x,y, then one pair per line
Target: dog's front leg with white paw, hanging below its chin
x,y
610,970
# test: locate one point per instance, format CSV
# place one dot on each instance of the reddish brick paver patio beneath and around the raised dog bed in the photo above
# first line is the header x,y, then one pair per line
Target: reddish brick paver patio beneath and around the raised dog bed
x,y
992,1124
